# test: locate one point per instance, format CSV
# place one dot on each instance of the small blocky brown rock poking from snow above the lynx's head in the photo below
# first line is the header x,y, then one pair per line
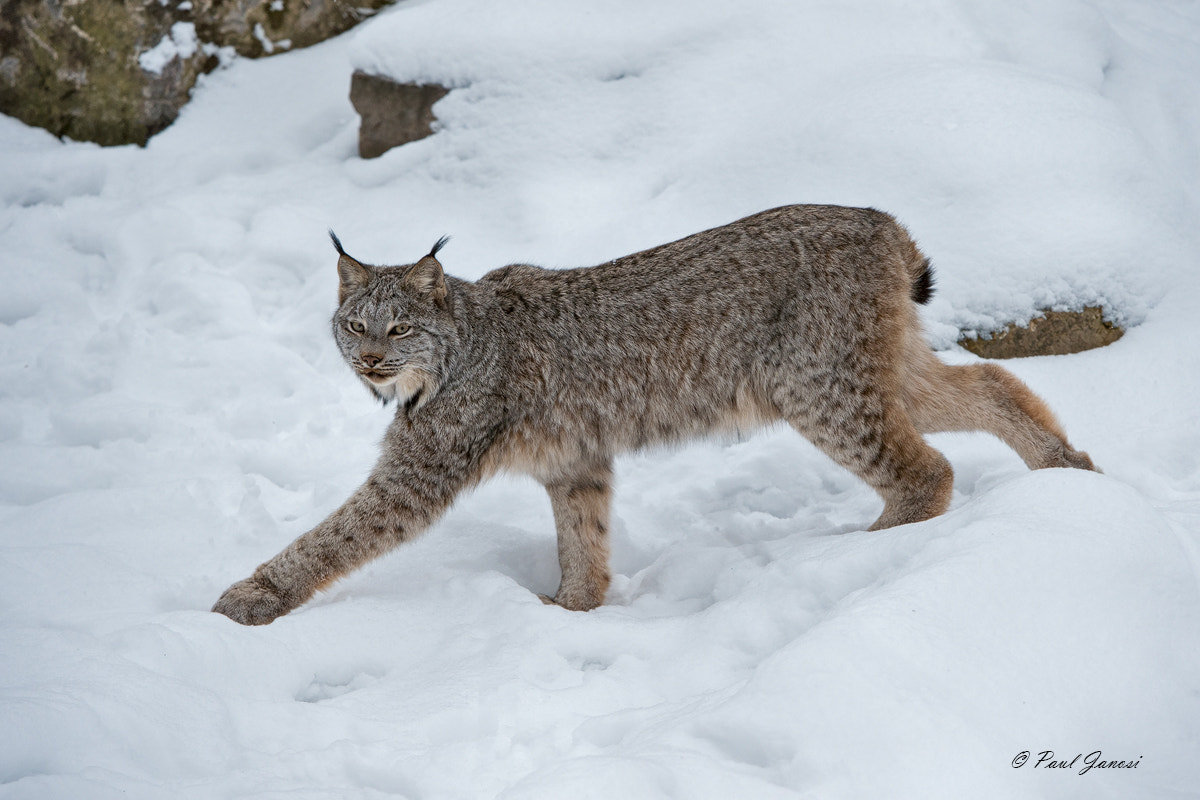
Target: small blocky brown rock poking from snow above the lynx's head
x,y
393,113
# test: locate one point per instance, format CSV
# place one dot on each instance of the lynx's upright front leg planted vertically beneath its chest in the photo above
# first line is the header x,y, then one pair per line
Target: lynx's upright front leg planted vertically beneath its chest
x,y
581,516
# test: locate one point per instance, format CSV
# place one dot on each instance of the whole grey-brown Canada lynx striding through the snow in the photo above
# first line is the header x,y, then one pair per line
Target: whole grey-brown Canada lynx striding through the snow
x,y
801,314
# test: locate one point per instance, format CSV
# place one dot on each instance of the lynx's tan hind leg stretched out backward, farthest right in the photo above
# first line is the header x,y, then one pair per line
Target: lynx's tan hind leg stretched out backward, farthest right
x,y
987,398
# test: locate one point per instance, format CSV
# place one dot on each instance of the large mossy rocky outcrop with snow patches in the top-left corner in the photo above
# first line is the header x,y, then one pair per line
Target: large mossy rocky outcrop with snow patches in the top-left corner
x,y
118,71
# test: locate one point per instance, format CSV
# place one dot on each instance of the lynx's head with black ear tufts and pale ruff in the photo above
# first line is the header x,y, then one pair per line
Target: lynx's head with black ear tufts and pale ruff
x,y
394,326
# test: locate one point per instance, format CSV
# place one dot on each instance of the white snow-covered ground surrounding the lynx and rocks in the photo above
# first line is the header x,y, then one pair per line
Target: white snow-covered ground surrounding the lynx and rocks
x,y
173,412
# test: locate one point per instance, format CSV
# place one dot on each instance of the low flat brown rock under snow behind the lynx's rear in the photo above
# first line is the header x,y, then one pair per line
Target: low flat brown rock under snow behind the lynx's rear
x,y
1055,333
